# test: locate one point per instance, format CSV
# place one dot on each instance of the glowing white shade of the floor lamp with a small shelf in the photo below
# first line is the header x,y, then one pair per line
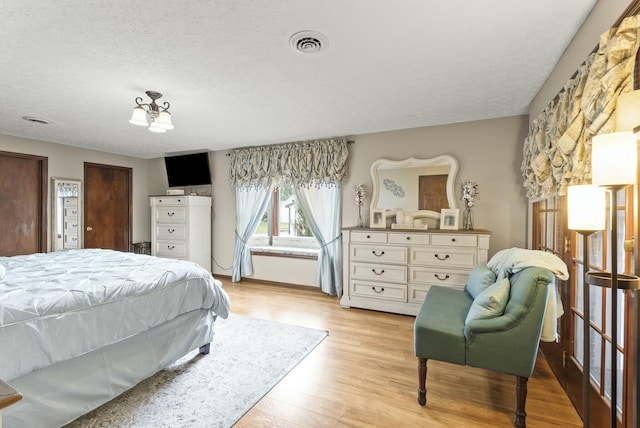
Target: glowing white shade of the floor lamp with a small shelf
x,y
614,159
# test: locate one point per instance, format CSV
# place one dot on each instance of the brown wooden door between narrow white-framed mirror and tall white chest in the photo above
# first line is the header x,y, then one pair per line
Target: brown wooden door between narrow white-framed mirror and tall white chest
x,y
107,209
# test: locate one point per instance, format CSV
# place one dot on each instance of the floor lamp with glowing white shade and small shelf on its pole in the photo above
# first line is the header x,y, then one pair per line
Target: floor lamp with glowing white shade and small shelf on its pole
x,y
614,167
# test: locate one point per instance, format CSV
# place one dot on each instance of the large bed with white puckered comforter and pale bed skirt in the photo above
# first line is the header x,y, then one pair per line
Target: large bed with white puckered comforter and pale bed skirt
x,y
80,327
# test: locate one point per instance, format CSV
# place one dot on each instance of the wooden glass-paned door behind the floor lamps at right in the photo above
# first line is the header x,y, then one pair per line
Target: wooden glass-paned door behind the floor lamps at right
x,y
600,321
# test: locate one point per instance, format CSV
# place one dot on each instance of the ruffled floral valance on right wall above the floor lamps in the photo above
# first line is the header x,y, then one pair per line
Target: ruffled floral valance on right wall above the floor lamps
x,y
557,151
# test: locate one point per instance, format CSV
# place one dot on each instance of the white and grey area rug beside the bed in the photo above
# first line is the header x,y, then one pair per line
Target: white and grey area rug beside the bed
x,y
248,357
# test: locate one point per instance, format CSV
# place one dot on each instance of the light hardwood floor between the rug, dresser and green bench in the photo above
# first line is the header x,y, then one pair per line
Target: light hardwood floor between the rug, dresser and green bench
x,y
364,374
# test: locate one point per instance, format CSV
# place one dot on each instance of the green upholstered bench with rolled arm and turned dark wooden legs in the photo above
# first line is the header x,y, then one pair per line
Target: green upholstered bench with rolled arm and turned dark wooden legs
x,y
506,343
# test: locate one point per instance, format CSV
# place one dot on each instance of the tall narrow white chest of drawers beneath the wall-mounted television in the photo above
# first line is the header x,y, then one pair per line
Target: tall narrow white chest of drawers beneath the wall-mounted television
x,y
181,228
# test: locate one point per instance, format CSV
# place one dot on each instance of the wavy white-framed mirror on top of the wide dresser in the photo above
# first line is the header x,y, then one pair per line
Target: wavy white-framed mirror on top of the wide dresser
x,y
414,188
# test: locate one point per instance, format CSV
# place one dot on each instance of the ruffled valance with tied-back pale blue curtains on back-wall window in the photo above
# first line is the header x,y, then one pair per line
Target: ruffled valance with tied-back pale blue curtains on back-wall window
x,y
315,169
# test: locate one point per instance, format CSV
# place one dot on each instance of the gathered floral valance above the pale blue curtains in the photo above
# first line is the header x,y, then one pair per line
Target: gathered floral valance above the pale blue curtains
x,y
303,164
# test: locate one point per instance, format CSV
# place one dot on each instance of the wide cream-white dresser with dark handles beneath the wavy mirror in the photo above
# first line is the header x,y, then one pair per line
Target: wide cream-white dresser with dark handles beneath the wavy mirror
x,y
392,270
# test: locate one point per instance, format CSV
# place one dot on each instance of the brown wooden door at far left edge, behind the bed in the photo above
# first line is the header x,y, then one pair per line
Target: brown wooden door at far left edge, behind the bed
x,y
23,192
